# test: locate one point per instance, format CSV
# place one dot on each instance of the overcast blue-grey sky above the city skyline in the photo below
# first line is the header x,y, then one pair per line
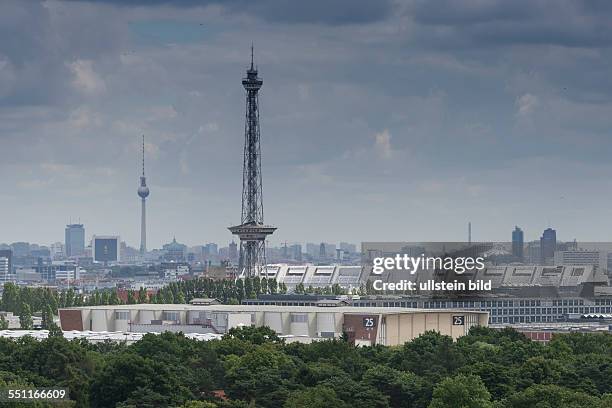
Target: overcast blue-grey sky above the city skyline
x,y
380,121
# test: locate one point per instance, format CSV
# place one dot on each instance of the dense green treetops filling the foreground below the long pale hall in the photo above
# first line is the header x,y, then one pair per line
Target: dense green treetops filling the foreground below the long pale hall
x,y
252,367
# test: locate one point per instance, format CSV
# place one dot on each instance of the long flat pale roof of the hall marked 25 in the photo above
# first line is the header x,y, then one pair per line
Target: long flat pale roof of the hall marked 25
x,y
272,308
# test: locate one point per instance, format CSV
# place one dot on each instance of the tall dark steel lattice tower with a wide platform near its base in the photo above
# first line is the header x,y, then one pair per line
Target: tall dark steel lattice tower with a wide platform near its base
x,y
252,231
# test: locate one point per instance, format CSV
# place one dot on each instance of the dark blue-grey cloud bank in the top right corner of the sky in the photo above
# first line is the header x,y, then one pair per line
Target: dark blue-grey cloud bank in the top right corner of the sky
x,y
498,23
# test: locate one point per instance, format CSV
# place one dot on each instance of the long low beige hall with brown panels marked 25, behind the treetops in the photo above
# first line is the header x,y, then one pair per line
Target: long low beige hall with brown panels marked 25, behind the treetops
x,y
328,319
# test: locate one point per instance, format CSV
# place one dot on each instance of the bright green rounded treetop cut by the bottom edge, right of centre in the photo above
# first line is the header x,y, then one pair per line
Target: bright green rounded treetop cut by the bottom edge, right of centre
x,y
461,391
